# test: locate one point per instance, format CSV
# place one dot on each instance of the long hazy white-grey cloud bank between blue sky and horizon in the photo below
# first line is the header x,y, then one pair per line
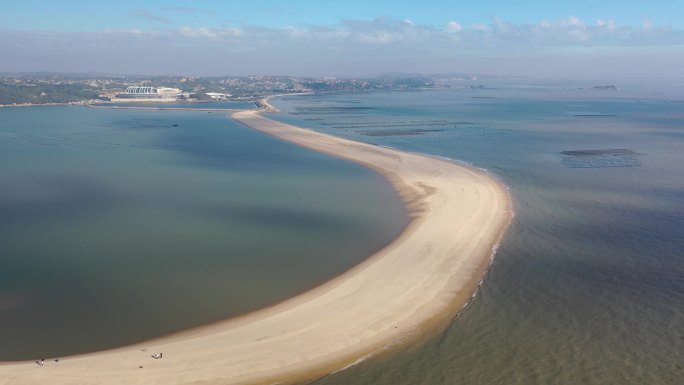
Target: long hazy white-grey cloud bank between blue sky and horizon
x,y
568,46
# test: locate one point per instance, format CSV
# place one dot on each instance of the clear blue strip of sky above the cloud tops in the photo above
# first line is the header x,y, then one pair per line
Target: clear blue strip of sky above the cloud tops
x,y
96,15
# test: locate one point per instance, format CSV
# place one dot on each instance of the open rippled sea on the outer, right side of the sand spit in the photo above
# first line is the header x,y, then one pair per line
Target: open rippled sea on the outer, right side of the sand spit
x,y
588,285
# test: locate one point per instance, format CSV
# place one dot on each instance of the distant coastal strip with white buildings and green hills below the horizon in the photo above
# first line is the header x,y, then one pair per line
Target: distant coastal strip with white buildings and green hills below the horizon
x,y
31,89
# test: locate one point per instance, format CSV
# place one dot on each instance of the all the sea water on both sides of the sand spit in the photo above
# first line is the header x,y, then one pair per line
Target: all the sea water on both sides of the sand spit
x,y
120,225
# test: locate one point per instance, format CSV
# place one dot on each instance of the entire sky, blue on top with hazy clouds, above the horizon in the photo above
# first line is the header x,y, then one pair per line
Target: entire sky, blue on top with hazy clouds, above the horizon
x,y
554,38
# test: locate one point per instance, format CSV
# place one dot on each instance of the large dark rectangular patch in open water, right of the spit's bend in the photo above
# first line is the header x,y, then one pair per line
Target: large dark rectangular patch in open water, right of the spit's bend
x,y
616,157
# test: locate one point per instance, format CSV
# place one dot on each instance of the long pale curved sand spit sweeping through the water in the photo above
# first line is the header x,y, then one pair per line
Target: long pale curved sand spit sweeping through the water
x,y
429,272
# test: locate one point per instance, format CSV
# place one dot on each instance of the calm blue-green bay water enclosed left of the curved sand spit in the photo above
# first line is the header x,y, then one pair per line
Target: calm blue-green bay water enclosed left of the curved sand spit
x,y
121,225
